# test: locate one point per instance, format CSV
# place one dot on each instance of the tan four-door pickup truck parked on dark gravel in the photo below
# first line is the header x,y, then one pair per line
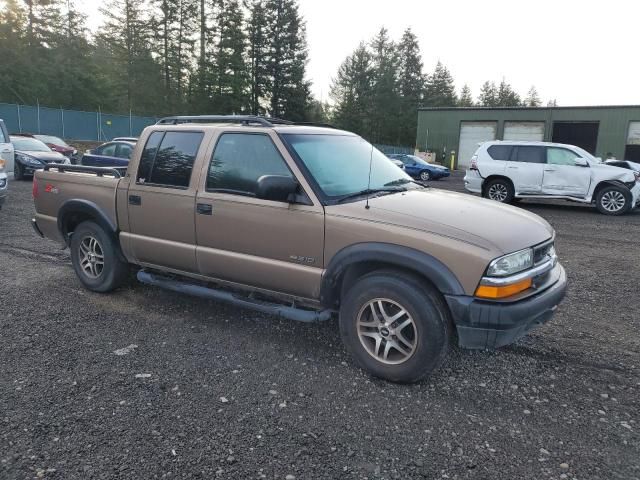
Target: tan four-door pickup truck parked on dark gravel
x,y
305,222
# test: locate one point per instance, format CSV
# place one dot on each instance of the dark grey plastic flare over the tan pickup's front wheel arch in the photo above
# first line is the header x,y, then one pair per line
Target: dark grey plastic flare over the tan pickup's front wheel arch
x,y
404,257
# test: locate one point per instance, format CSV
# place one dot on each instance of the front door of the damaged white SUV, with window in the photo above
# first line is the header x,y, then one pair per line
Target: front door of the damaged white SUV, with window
x,y
562,176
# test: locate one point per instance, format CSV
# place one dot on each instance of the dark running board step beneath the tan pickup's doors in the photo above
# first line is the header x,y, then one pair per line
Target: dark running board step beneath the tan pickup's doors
x,y
282,311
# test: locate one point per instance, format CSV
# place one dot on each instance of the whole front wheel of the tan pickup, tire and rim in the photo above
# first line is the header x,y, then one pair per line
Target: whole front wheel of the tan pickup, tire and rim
x,y
425,339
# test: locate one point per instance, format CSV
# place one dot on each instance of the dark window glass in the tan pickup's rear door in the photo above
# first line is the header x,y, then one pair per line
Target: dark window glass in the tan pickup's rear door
x,y
168,157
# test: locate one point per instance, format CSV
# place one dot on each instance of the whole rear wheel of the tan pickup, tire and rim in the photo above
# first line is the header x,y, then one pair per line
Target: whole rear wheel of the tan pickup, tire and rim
x,y
89,244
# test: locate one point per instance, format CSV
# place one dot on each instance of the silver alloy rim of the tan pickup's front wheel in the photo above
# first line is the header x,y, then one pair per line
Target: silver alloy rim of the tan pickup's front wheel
x,y
387,331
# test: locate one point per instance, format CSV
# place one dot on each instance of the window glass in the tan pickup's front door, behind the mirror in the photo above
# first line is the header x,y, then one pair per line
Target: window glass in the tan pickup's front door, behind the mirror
x,y
240,159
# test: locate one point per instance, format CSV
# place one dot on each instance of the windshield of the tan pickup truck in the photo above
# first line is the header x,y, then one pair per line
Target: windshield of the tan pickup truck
x,y
340,163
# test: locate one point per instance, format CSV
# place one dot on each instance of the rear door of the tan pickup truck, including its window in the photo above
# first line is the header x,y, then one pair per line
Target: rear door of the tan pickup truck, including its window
x,y
161,201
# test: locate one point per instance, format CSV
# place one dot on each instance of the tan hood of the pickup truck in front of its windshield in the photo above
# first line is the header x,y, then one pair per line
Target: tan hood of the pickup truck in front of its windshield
x,y
484,223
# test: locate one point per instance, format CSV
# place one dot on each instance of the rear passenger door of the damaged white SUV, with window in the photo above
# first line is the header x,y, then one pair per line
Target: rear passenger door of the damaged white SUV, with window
x,y
526,168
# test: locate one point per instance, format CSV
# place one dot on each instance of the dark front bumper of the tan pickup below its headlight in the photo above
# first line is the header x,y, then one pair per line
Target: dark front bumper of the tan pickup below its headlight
x,y
486,325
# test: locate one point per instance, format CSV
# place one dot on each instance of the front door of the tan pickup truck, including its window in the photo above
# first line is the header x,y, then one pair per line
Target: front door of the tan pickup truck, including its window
x,y
266,244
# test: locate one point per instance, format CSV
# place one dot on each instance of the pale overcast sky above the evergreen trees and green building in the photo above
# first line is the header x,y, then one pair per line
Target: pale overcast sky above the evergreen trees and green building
x,y
577,52
